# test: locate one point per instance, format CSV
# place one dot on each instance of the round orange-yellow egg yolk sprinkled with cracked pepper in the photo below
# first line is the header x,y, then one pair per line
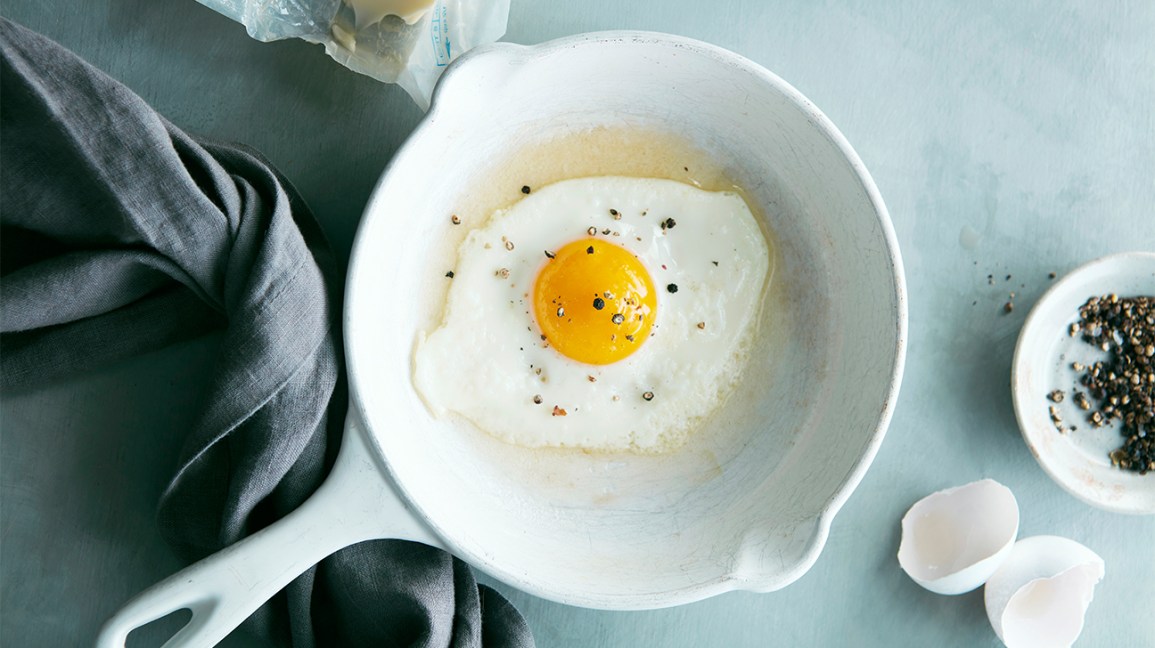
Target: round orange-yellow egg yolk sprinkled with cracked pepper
x,y
595,302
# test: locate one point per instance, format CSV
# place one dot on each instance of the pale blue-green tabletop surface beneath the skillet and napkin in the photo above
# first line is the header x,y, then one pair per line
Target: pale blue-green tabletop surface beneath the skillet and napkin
x,y
1009,139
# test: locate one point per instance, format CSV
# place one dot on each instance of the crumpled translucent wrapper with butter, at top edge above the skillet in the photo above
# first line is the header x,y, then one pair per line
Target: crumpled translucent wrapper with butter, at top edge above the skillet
x,y
368,36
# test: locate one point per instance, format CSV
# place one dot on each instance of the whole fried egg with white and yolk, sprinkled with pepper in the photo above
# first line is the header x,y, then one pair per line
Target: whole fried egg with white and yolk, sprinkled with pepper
x,y
606,314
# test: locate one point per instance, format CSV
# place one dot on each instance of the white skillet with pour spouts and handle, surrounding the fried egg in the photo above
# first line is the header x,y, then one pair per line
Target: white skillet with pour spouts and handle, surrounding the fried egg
x,y
747,504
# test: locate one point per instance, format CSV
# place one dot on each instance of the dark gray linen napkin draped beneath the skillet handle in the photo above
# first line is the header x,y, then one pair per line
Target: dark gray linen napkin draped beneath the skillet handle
x,y
122,234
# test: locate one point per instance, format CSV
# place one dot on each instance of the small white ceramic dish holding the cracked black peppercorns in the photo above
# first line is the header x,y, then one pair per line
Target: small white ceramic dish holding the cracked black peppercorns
x,y
1078,461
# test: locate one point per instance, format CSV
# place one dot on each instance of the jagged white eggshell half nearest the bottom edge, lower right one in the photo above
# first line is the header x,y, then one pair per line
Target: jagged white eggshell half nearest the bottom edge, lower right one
x,y
1039,597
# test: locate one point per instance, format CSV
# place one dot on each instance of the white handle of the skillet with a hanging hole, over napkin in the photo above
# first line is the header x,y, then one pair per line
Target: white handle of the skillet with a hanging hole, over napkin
x,y
356,503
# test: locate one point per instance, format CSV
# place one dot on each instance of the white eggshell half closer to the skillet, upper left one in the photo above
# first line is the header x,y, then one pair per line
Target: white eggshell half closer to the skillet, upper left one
x,y
955,540
